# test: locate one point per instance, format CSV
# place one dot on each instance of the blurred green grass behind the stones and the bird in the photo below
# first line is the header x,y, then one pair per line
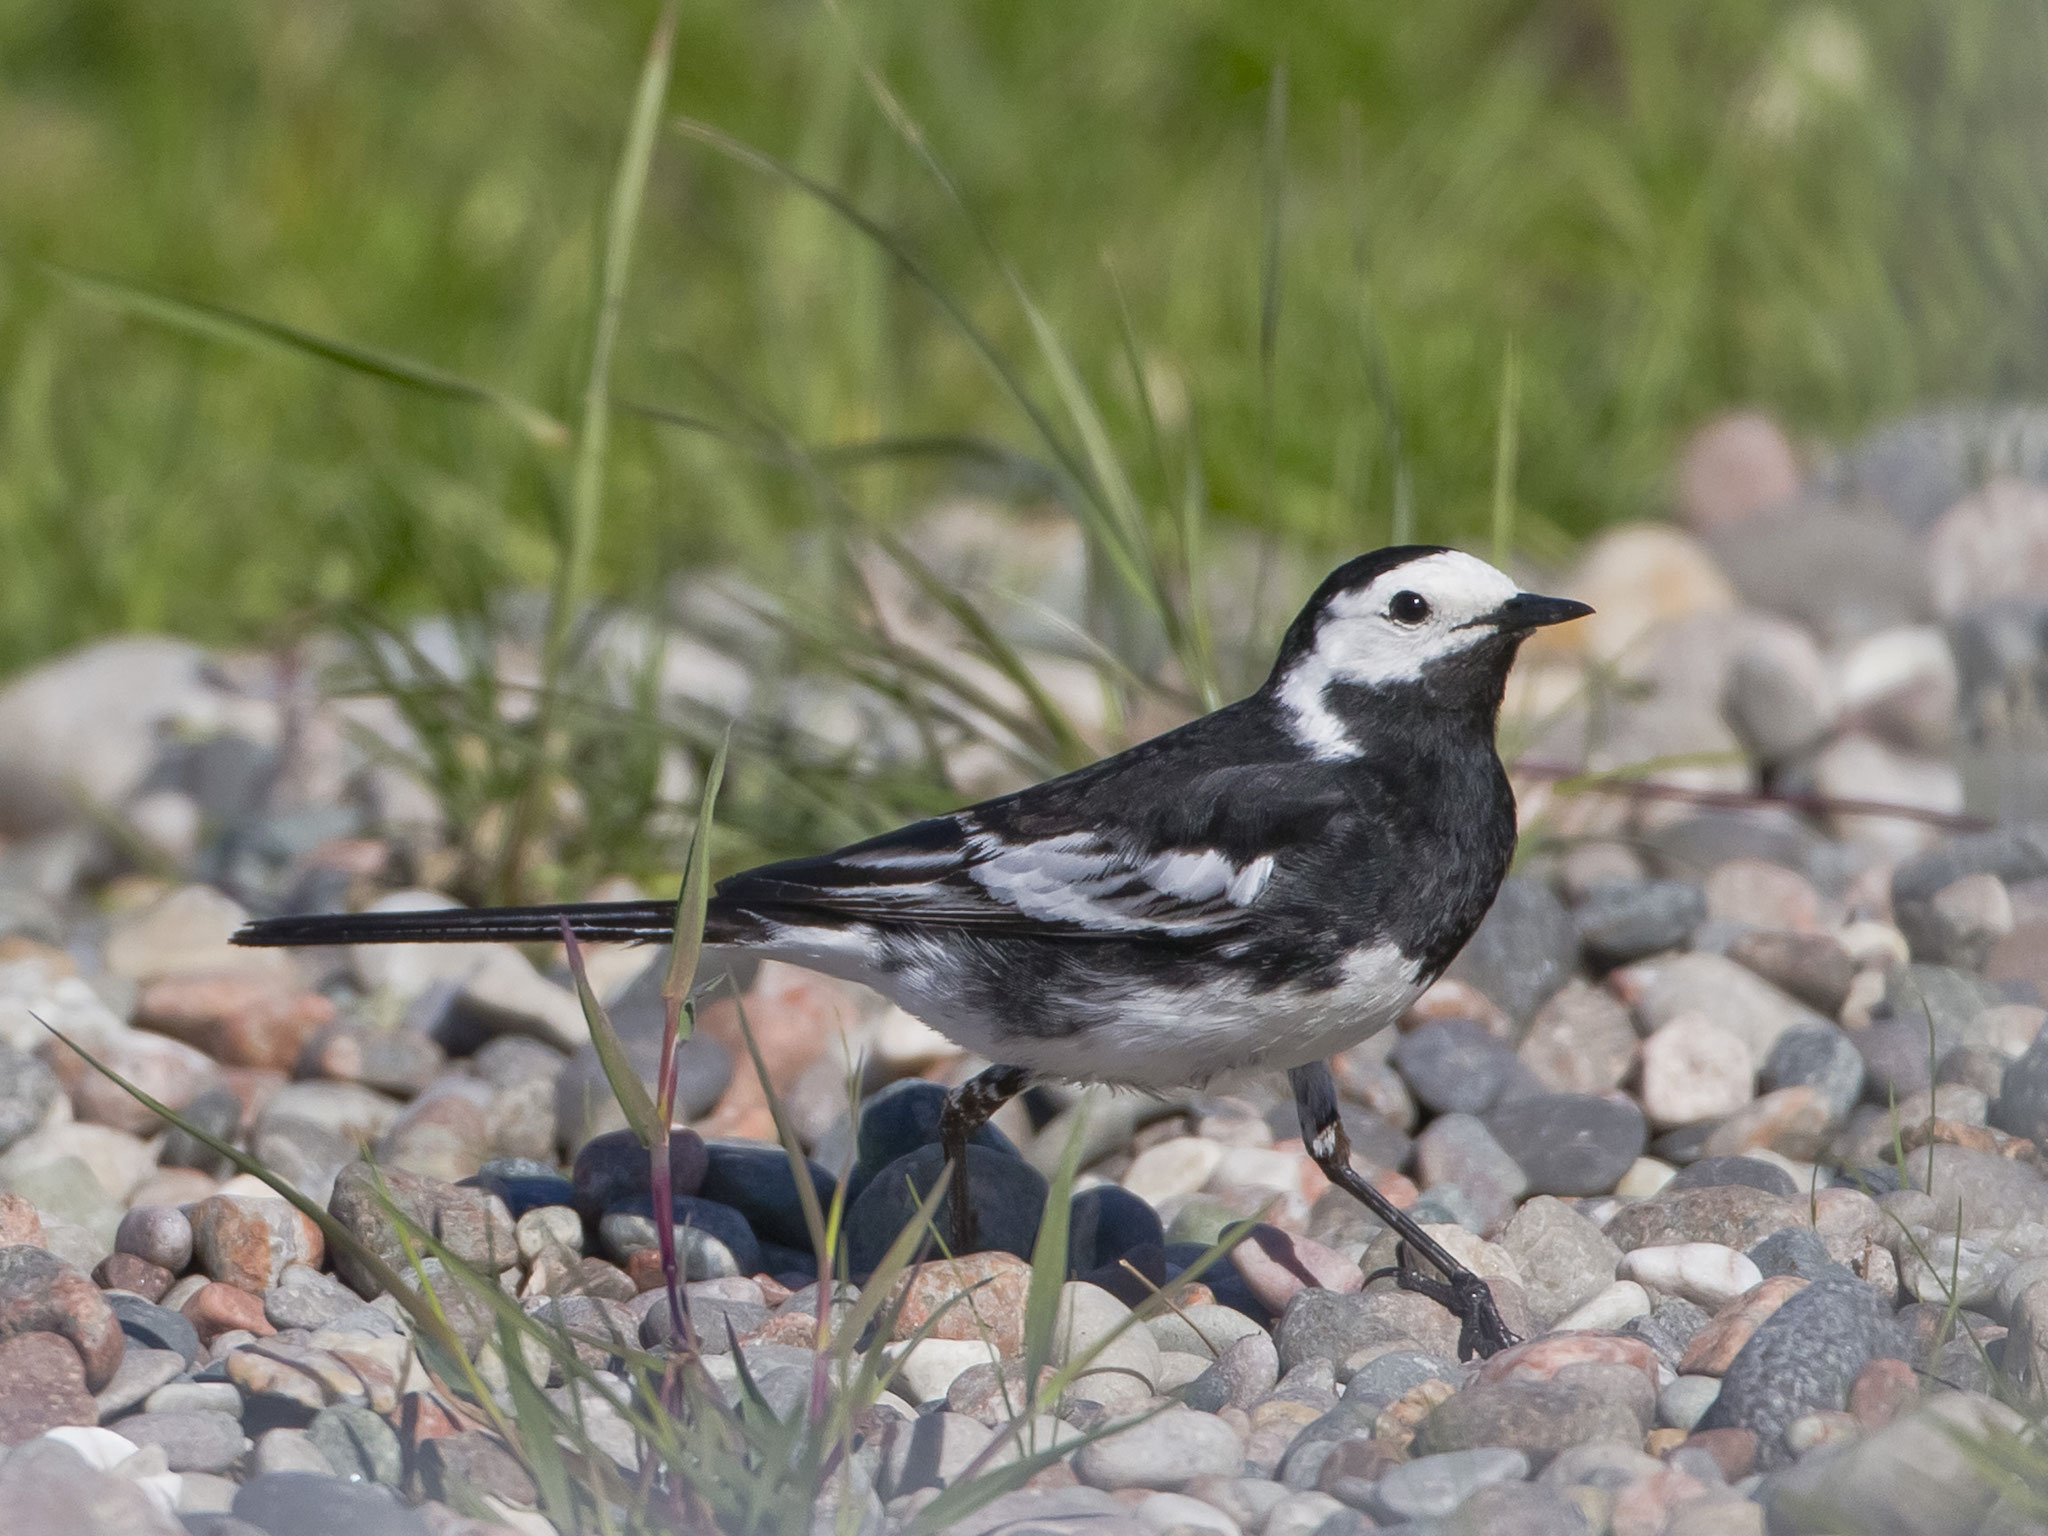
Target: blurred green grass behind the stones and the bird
x,y
1828,212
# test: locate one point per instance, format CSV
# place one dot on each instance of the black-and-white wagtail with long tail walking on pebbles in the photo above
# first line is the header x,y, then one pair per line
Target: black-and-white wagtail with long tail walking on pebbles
x,y
1252,892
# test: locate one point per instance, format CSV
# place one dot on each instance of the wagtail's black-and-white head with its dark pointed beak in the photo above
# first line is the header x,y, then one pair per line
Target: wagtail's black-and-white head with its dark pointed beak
x,y
1414,617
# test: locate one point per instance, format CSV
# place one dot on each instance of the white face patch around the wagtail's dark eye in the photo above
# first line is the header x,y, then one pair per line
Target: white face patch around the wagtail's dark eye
x,y
1379,636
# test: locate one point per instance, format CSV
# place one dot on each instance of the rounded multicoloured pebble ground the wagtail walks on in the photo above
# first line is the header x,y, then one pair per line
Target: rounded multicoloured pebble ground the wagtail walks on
x,y
1740,1107
